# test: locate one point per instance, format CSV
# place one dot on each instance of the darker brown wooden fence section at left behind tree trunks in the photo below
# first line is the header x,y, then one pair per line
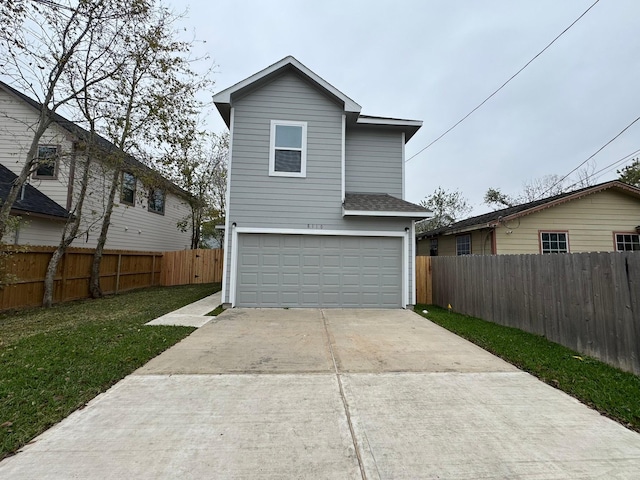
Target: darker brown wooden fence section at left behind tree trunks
x,y
120,270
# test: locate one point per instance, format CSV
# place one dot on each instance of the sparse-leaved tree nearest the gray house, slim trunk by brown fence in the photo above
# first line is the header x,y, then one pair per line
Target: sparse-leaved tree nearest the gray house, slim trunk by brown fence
x,y
157,87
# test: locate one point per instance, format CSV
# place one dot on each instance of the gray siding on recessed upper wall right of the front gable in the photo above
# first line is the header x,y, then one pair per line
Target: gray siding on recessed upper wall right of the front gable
x,y
373,161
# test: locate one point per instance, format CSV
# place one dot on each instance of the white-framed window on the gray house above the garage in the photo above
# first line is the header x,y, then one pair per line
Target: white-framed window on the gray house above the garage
x,y
288,151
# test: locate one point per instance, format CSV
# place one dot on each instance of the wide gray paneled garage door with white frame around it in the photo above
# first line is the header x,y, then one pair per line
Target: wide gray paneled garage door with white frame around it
x,y
319,271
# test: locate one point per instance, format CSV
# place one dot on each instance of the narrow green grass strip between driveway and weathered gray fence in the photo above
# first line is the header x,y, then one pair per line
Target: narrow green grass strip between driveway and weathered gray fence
x,y
609,390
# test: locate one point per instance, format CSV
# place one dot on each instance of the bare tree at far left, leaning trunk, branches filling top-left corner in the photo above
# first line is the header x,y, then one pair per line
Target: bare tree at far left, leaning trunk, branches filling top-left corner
x,y
38,42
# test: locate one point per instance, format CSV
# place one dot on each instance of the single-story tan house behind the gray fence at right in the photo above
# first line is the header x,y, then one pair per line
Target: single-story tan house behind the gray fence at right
x,y
601,218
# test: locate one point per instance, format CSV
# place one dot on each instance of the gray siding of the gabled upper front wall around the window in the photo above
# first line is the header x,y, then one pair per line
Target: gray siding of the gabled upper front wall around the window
x,y
262,201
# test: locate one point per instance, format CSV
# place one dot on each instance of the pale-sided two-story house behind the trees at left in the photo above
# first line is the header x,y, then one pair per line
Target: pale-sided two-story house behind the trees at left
x,y
144,218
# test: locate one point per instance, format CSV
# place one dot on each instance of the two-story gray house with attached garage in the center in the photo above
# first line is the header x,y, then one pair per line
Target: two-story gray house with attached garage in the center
x,y
315,209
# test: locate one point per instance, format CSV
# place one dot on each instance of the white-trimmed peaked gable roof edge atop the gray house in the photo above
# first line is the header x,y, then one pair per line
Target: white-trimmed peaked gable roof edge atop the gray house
x,y
224,99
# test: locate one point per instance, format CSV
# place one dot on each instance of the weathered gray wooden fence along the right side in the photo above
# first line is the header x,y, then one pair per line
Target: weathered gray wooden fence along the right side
x,y
589,302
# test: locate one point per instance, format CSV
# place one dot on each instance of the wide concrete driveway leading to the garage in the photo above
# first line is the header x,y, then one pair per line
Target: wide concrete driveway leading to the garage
x,y
329,394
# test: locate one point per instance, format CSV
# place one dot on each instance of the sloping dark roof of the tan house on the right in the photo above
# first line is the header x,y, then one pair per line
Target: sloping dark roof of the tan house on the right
x,y
492,219
